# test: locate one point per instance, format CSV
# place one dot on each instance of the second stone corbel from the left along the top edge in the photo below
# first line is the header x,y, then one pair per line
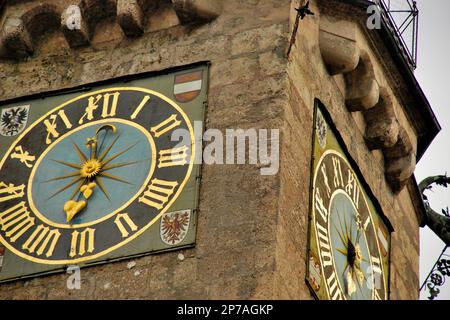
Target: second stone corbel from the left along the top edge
x,y
74,27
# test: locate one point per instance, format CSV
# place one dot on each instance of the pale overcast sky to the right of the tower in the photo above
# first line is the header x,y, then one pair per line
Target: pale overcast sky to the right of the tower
x,y
433,73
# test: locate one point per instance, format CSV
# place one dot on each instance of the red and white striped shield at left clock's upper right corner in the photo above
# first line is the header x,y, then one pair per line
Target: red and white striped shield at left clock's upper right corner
x,y
188,86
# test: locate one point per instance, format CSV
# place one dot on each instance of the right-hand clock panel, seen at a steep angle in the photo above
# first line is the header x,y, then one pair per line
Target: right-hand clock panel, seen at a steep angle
x,y
349,243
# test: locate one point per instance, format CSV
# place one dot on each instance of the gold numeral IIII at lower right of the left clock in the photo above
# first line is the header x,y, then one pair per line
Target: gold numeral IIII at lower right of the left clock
x,y
158,193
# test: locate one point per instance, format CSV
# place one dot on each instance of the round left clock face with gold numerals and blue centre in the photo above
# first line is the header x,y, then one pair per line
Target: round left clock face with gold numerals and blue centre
x,y
93,174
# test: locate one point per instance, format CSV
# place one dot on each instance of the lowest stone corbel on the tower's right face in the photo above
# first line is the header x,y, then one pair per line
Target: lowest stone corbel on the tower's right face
x,y
400,162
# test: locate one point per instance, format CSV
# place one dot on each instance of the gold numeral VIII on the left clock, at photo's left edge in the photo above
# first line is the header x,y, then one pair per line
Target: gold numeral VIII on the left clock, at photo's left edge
x,y
15,221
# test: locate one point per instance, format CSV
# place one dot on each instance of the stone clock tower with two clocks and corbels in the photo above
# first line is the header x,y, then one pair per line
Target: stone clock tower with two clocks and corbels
x,y
110,110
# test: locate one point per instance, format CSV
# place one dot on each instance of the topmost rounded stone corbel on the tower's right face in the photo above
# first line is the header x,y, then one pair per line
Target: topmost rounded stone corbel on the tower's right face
x,y
341,55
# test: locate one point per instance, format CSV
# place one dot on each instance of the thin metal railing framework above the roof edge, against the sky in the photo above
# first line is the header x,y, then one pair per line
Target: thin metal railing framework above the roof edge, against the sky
x,y
403,18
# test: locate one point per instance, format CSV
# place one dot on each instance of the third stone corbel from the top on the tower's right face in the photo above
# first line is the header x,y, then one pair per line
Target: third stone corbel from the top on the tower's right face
x,y
382,126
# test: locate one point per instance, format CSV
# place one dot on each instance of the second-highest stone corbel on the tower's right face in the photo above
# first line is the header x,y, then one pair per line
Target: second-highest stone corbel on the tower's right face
x,y
362,90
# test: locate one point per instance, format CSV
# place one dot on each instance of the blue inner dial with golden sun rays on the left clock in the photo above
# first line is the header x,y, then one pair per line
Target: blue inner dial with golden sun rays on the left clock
x,y
117,171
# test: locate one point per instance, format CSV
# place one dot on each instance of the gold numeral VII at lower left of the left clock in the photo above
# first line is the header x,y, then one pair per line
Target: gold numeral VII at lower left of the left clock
x,y
43,239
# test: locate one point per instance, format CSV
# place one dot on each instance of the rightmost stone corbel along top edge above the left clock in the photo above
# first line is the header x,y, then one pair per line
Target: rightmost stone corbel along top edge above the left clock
x,y
197,10
